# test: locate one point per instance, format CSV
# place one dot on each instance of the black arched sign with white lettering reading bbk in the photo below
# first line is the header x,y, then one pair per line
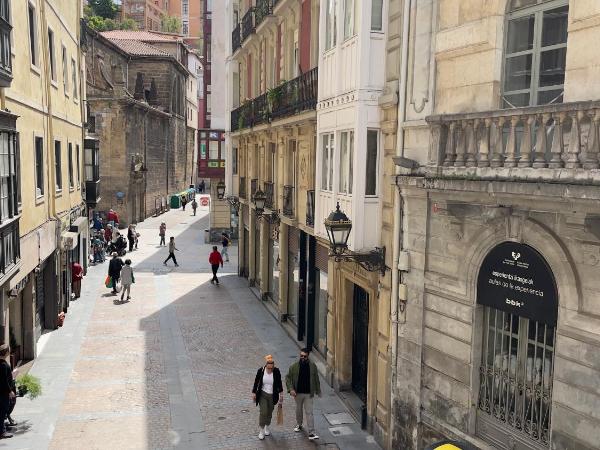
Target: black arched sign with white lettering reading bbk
x,y
515,278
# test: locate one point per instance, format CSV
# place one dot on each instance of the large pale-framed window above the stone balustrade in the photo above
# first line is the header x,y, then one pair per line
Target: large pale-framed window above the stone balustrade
x,y
535,52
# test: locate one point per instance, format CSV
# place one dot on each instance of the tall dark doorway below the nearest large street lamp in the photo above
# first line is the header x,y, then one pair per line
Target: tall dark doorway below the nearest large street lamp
x,y
360,343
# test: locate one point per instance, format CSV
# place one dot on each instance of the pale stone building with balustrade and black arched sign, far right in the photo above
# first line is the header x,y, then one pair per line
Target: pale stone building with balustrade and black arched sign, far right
x,y
494,307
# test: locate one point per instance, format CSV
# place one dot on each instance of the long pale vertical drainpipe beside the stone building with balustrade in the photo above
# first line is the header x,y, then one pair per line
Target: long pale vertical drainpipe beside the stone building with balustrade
x,y
396,276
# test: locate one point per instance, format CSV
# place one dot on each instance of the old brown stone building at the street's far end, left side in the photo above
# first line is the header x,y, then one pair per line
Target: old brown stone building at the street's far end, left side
x,y
137,100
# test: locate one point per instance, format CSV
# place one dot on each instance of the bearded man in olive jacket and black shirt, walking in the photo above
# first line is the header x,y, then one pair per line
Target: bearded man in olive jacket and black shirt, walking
x,y
302,382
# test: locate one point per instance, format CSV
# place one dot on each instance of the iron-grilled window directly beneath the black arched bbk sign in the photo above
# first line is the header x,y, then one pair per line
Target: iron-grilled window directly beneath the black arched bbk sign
x,y
516,374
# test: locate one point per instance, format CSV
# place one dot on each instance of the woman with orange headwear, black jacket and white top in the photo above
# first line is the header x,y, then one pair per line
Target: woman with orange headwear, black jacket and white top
x,y
266,393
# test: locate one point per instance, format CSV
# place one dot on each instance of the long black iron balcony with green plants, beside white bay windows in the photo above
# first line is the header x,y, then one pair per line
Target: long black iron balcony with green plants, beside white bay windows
x,y
289,98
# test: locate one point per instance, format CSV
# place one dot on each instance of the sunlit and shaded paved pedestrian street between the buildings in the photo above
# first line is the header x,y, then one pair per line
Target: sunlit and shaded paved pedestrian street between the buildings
x,y
173,367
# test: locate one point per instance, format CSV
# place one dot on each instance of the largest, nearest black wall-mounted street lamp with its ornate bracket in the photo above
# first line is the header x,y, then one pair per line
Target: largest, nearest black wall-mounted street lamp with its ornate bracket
x,y
338,227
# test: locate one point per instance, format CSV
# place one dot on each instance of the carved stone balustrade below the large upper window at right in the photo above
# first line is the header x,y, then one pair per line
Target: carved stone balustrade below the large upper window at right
x,y
563,136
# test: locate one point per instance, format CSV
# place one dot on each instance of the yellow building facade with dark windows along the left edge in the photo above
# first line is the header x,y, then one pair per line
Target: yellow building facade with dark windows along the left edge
x,y
43,225
